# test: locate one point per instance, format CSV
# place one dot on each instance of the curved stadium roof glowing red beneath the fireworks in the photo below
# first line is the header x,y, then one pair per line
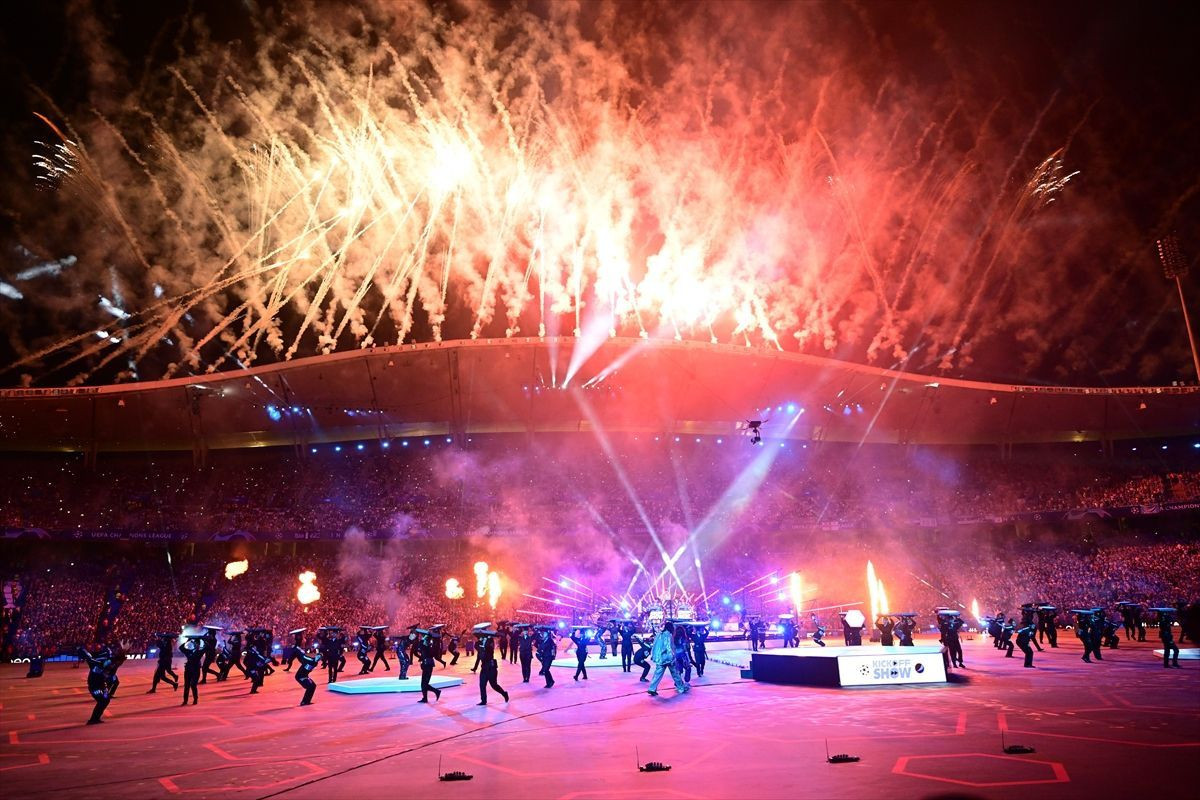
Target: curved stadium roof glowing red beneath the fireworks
x,y
515,386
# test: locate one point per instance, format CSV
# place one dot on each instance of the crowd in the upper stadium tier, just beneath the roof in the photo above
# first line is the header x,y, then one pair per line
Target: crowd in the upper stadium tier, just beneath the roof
x,y
442,489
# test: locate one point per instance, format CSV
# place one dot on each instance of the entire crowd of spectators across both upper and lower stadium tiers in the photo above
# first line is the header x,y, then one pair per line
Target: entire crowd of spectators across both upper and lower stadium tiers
x,y
416,506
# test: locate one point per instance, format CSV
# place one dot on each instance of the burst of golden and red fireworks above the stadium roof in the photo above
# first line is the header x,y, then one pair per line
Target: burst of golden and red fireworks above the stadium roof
x,y
491,177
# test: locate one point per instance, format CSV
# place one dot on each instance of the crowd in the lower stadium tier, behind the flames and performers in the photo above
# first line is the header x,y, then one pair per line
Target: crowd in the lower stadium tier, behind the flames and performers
x,y
405,585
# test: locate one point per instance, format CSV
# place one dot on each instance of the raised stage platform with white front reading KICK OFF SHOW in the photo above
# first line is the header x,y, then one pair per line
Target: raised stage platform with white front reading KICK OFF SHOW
x,y
842,666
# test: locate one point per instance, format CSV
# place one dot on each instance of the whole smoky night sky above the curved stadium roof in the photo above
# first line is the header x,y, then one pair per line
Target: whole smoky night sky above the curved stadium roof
x,y
860,178
